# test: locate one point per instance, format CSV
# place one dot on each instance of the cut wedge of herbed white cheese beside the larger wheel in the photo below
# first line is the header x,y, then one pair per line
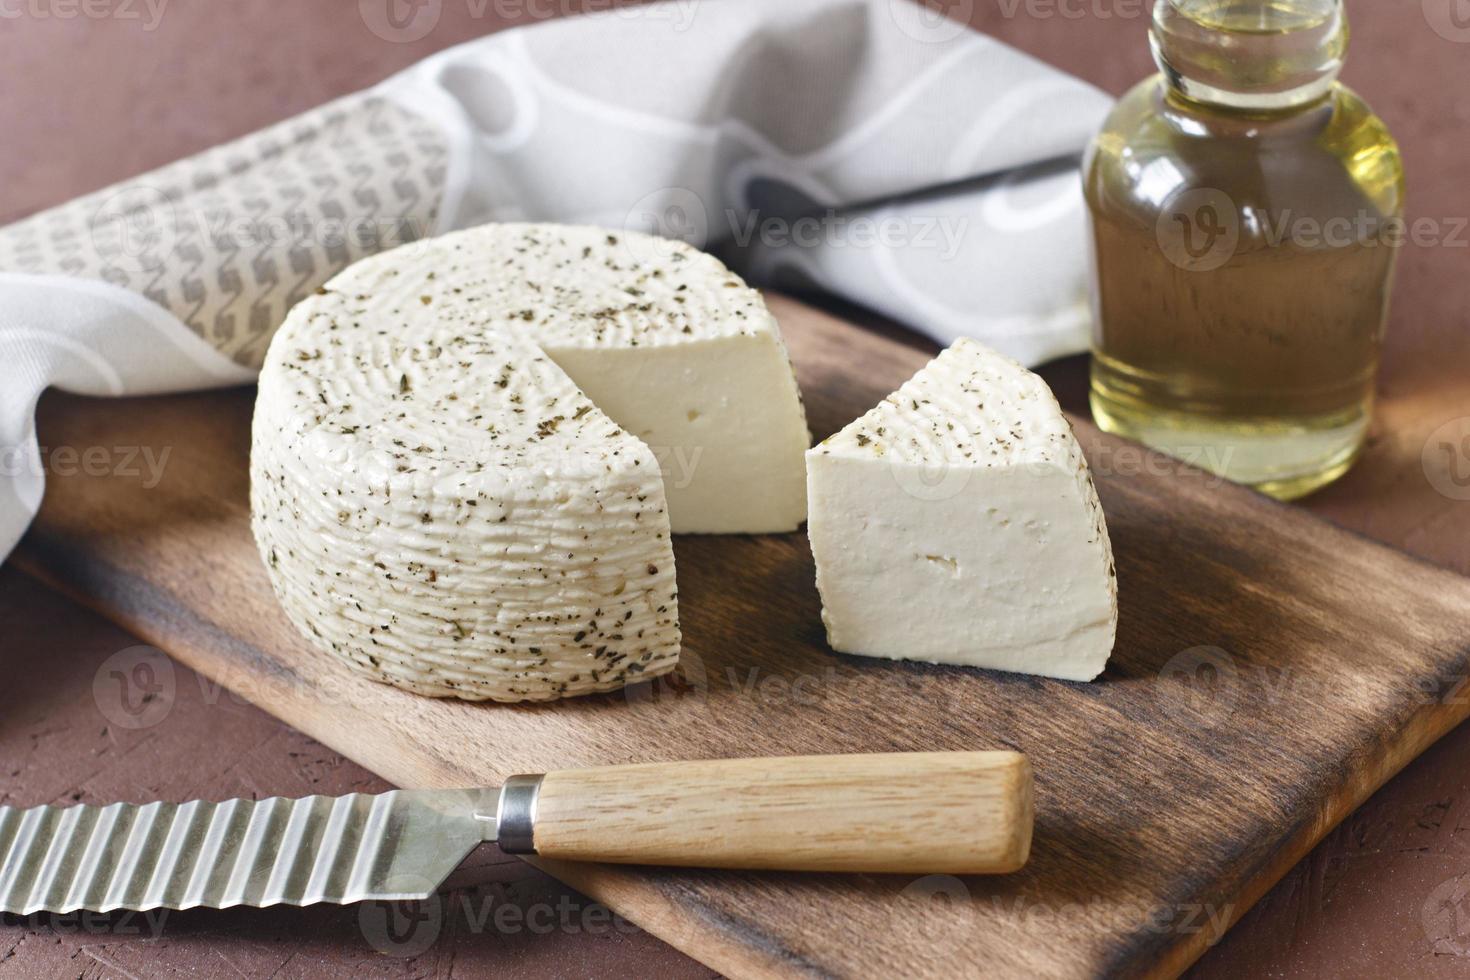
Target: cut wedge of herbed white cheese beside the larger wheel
x,y
958,524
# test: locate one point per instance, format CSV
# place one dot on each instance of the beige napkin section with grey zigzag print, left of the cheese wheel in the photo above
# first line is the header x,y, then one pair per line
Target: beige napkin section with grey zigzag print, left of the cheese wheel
x,y
232,239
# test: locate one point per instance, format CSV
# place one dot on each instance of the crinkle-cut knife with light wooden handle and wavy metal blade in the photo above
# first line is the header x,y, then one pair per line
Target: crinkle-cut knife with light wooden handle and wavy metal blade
x,y
922,813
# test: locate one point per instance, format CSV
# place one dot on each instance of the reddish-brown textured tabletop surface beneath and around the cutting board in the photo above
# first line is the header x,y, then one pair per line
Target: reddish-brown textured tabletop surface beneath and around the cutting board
x,y
90,101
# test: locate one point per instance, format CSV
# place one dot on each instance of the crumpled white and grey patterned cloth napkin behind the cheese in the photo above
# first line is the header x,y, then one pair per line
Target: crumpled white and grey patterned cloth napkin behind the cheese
x,y
867,148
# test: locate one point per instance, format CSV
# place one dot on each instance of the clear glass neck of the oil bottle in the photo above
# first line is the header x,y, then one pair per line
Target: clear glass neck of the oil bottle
x,y
1250,55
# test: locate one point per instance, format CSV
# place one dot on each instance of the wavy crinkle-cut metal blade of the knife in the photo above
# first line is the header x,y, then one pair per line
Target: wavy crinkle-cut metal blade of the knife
x,y
399,846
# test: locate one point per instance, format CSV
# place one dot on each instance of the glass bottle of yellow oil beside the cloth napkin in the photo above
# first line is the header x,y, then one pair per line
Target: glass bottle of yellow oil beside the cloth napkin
x,y
1246,214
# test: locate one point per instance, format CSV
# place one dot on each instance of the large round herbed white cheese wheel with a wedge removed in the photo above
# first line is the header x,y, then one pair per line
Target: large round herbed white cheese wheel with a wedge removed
x,y
458,446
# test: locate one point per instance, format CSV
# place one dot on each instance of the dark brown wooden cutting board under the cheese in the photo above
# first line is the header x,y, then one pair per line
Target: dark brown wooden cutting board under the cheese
x,y
1271,672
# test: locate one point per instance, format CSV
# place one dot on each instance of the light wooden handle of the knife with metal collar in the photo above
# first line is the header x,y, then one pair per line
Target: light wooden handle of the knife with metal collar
x,y
922,813
